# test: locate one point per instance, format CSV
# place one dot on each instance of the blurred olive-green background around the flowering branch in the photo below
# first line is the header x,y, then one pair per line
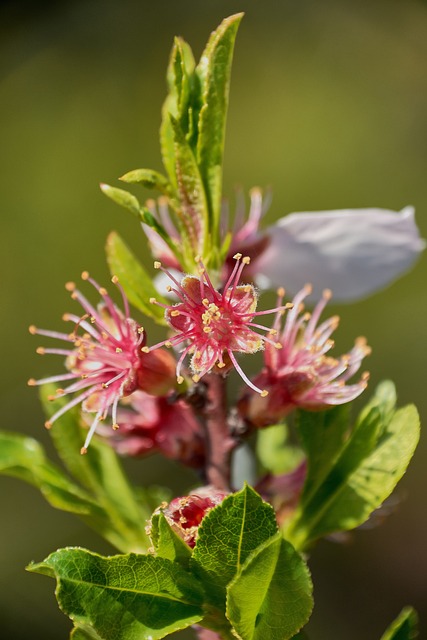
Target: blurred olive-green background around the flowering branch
x,y
329,108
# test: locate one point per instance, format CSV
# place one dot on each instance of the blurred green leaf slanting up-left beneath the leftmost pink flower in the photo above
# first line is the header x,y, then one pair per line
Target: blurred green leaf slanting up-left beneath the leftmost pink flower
x,y
101,473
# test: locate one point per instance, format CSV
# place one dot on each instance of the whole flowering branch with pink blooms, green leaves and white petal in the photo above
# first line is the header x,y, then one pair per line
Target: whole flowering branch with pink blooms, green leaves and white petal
x,y
170,395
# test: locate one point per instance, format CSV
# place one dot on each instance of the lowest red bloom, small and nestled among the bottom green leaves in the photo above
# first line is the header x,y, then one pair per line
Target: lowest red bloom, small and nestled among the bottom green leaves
x,y
186,514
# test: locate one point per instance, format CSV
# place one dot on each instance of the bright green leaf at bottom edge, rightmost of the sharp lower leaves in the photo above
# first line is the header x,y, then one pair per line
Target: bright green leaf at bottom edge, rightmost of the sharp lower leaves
x,y
271,596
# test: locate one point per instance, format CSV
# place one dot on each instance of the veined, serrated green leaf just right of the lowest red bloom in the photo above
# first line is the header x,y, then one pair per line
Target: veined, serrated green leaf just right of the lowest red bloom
x,y
227,535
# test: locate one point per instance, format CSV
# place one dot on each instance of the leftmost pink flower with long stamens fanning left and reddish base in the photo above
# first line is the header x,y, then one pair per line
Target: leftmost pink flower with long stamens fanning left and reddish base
x,y
105,362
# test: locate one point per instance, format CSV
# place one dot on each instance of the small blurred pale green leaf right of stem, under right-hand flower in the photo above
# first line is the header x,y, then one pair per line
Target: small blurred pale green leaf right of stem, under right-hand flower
x,y
274,452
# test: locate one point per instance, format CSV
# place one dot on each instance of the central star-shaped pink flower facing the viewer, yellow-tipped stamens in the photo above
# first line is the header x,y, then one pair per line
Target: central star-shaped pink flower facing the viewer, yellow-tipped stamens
x,y
215,324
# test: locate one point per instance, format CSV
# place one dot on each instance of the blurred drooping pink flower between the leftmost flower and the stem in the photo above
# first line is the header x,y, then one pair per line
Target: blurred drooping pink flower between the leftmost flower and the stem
x,y
158,424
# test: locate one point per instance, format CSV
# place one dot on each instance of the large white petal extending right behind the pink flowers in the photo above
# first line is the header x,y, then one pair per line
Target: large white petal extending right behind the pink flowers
x,y
354,252
